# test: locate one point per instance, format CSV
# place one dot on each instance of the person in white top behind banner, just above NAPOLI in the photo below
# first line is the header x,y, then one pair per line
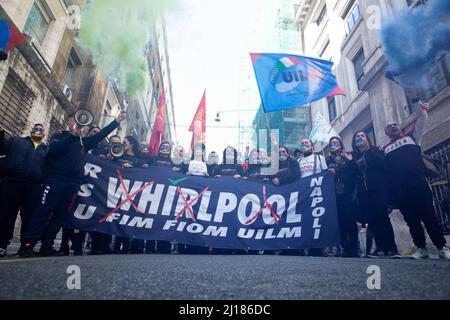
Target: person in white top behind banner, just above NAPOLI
x,y
310,163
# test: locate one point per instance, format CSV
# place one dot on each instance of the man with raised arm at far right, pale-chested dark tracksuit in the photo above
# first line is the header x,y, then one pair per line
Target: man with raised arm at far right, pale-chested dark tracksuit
x,y
407,175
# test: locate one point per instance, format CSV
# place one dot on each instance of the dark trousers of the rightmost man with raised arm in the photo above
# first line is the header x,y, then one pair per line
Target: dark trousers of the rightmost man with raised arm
x,y
415,201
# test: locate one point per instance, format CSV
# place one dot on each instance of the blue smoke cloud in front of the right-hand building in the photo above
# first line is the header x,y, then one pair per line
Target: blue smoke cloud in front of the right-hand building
x,y
413,42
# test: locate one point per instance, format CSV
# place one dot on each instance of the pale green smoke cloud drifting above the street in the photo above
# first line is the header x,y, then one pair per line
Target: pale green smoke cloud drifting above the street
x,y
116,33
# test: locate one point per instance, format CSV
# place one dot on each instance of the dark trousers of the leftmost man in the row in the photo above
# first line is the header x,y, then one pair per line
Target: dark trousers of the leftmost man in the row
x,y
17,195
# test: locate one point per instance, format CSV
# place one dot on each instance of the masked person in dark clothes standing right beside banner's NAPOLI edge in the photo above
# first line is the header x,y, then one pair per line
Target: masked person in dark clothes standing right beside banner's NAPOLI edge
x,y
341,164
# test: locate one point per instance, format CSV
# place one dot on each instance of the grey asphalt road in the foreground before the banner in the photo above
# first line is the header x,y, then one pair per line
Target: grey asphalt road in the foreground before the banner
x,y
237,277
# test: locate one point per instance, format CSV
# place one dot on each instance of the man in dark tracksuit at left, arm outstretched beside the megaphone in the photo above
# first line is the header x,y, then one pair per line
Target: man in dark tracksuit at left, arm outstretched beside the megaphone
x,y
63,178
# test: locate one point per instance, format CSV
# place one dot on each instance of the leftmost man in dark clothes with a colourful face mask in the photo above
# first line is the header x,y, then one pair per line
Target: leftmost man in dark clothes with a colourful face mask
x,y
20,181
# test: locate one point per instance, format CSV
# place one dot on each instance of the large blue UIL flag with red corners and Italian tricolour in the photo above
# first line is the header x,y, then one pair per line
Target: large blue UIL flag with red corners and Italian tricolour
x,y
287,81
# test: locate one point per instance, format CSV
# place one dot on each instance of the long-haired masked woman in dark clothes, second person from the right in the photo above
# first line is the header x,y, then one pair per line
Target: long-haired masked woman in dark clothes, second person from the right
x,y
374,194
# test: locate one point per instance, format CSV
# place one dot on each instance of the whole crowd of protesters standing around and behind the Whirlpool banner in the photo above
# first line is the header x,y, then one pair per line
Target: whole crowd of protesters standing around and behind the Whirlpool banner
x,y
41,182
